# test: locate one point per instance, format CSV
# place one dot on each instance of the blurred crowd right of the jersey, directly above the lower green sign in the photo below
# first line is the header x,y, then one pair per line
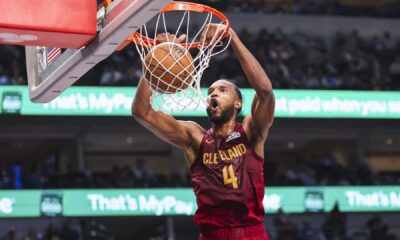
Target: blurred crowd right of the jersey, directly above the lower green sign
x,y
325,171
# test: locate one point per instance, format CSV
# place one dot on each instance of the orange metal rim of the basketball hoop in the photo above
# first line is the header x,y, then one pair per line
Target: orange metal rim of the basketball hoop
x,y
183,6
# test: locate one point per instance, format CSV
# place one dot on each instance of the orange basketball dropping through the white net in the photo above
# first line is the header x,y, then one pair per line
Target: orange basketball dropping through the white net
x,y
169,68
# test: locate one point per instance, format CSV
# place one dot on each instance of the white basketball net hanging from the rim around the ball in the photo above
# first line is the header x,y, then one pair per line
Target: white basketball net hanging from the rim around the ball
x,y
188,96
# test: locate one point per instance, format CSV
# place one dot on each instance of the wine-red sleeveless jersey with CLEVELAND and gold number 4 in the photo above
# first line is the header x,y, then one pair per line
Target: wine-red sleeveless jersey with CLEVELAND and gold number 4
x,y
228,182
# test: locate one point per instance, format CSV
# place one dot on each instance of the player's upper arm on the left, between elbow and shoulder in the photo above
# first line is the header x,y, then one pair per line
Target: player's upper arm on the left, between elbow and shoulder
x,y
167,128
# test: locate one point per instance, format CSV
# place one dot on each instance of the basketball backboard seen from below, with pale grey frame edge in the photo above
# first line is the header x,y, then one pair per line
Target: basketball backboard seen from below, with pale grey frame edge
x,y
115,23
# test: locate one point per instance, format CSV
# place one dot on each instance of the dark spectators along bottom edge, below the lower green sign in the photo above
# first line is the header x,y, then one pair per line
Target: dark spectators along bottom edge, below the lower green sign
x,y
333,226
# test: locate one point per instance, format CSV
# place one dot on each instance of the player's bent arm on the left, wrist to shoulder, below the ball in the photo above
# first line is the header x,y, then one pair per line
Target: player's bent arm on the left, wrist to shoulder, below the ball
x,y
181,134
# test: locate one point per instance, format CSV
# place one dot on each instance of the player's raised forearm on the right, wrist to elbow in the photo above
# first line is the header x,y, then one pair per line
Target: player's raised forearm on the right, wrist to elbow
x,y
253,70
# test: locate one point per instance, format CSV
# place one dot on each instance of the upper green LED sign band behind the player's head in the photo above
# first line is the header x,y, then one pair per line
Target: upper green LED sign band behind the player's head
x,y
116,101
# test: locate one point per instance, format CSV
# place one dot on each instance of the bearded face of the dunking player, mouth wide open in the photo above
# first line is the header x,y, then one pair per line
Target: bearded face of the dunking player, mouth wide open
x,y
221,102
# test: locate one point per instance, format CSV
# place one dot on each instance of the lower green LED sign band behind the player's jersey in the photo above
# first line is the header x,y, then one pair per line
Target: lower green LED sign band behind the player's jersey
x,y
181,201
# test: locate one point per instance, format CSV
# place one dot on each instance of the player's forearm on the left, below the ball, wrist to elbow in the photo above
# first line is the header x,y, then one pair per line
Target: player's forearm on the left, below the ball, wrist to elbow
x,y
141,105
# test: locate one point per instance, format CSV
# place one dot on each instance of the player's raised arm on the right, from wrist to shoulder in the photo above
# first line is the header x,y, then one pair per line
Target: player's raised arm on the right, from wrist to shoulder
x,y
263,106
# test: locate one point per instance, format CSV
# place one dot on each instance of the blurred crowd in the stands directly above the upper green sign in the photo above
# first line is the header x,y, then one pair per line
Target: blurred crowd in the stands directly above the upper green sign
x,y
293,61
